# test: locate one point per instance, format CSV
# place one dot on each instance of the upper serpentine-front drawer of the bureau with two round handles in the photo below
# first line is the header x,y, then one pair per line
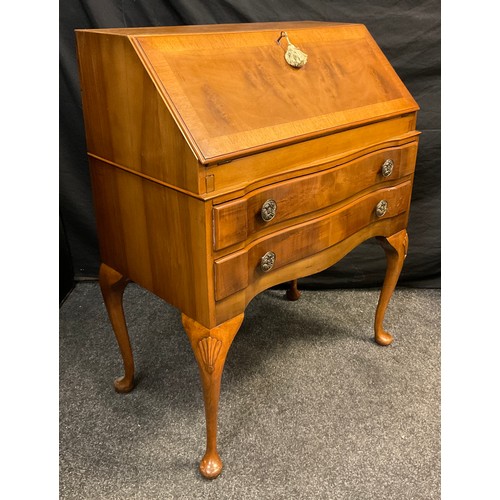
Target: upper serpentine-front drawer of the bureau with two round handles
x,y
238,220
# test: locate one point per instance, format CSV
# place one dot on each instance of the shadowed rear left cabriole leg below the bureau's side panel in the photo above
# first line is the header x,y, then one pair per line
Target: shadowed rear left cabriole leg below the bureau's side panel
x,y
112,287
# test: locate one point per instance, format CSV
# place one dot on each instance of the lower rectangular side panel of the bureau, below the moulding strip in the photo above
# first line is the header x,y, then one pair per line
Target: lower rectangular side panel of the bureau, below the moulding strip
x,y
156,236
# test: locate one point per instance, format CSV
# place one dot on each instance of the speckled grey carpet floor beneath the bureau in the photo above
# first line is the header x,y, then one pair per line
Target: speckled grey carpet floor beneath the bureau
x,y
311,407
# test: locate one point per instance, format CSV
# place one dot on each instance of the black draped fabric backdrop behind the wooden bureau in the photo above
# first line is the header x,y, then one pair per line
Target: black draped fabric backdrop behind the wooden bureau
x,y
408,33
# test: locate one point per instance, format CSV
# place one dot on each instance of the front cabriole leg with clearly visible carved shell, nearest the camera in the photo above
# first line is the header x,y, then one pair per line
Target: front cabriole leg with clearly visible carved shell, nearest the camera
x,y
210,347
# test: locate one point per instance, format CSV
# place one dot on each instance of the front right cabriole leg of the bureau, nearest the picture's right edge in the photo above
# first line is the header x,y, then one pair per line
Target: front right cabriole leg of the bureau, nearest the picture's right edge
x,y
396,248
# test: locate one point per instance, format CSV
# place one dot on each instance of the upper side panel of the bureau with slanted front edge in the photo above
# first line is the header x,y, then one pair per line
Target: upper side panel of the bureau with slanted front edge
x,y
126,119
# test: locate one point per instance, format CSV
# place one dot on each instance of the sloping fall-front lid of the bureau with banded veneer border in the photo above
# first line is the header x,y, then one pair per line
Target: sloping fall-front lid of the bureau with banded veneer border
x,y
222,117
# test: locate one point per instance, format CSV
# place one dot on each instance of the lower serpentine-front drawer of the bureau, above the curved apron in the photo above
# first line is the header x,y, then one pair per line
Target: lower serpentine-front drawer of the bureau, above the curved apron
x,y
237,270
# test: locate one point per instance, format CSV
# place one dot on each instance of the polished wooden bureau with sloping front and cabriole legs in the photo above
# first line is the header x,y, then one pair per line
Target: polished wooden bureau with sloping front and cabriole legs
x,y
224,162
